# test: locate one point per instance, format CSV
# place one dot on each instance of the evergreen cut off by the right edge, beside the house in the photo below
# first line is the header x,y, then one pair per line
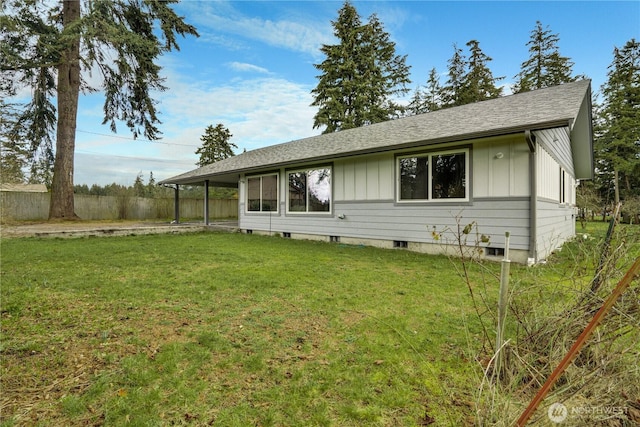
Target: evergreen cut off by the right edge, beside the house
x,y
618,129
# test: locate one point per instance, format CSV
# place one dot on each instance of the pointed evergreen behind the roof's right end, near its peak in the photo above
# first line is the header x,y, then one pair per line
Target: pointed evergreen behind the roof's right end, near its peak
x,y
545,66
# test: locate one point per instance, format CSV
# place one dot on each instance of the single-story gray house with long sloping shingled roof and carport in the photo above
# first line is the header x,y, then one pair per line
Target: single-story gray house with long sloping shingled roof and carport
x,y
509,164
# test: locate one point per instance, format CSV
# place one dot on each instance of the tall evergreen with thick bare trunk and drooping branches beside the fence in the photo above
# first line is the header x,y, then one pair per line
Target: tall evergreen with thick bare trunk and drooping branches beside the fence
x,y
44,46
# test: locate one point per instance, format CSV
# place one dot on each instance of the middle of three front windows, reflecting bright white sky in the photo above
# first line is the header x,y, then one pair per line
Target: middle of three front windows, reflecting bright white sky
x,y
310,190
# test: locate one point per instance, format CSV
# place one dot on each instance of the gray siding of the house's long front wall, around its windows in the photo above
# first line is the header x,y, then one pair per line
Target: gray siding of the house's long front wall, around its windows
x,y
366,209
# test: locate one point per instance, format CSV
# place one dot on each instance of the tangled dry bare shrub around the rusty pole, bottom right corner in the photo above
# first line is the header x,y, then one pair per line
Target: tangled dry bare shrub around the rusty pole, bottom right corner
x,y
602,385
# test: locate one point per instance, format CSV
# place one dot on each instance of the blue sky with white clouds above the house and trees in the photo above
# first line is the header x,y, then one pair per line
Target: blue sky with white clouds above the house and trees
x,y
252,69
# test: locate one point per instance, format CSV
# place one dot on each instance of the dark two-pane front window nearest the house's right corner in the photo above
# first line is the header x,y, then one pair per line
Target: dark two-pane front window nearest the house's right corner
x,y
434,176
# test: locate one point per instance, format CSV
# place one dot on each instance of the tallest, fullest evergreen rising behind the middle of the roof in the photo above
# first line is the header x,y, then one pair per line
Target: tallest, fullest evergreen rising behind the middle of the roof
x,y
359,75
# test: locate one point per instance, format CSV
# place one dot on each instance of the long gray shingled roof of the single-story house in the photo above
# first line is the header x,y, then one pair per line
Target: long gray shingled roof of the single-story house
x,y
540,109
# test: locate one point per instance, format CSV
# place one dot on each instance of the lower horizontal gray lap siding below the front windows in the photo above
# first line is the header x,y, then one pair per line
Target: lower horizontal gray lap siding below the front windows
x,y
382,224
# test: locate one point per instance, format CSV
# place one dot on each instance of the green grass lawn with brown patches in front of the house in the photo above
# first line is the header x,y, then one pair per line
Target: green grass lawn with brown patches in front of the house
x,y
238,330
